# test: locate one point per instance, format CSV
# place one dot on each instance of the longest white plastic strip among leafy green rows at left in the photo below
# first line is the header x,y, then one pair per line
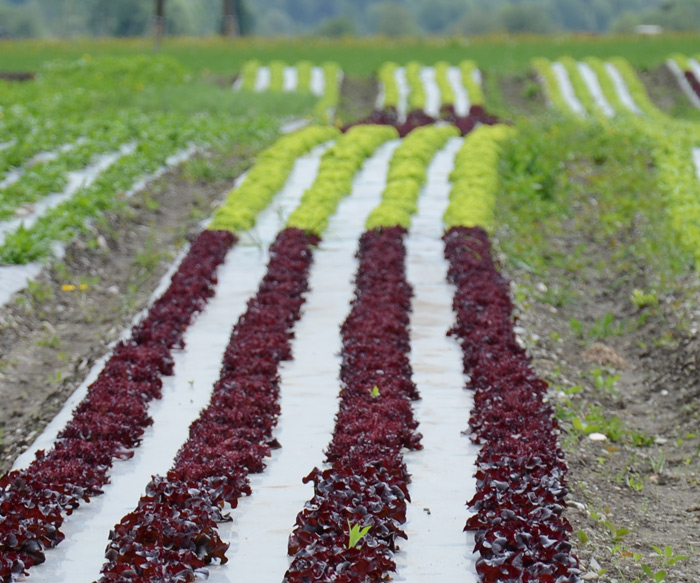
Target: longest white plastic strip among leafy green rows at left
x,y
75,181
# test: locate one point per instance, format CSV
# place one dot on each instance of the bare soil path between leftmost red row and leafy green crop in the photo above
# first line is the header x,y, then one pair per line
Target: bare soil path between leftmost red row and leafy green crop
x,y
49,338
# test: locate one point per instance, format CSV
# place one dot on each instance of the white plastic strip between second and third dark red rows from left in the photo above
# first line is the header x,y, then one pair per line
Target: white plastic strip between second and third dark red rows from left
x,y
309,389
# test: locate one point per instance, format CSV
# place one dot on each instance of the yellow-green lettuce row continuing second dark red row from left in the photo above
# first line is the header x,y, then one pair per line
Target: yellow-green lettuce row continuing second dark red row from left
x,y
334,181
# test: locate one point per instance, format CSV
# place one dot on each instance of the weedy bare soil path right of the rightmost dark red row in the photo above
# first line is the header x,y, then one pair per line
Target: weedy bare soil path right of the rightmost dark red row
x,y
642,489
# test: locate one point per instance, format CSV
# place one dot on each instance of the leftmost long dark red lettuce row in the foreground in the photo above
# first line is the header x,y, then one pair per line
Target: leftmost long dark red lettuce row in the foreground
x,y
109,422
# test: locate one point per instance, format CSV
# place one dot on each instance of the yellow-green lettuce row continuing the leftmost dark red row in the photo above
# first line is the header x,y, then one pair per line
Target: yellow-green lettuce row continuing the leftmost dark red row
x,y
266,178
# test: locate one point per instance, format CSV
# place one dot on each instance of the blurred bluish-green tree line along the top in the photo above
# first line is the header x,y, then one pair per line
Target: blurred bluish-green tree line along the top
x,y
73,18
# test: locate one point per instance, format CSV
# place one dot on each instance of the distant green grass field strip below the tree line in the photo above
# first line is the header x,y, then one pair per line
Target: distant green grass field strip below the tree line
x,y
357,57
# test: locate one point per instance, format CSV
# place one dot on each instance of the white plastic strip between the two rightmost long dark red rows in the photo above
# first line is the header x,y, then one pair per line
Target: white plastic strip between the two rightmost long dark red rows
x,y
437,548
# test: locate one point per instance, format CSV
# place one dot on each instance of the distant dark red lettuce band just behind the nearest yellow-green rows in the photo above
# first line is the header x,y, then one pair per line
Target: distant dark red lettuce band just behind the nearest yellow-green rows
x,y
418,118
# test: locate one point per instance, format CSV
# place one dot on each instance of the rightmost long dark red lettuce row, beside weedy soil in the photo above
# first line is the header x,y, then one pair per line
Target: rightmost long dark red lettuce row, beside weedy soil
x,y
521,534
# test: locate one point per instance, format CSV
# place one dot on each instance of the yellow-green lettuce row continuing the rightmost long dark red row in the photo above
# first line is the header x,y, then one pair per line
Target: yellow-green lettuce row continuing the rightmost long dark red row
x,y
475,178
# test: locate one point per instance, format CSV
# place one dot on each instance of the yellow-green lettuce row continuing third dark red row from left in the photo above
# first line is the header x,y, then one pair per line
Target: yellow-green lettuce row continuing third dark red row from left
x,y
407,174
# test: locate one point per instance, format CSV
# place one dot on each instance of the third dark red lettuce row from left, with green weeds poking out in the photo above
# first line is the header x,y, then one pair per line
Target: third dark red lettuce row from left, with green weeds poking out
x,y
367,481
